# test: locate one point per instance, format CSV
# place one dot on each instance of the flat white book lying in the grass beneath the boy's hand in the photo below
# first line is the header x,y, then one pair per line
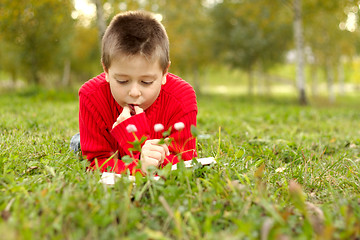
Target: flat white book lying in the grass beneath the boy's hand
x,y
109,178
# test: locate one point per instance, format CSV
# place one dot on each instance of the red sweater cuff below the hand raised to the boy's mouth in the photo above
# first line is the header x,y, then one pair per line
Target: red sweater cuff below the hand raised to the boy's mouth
x,y
131,130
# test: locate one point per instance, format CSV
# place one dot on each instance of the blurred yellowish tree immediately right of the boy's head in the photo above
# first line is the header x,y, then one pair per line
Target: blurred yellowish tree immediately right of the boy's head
x,y
189,35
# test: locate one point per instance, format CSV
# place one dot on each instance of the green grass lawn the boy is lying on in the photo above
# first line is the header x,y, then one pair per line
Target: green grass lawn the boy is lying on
x,y
283,171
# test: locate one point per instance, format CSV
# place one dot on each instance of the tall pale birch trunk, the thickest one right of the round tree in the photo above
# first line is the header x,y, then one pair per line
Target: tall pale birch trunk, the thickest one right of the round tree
x,y
299,43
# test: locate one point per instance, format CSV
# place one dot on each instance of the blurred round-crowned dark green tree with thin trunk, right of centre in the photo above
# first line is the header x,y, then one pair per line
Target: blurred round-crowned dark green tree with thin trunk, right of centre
x,y
250,34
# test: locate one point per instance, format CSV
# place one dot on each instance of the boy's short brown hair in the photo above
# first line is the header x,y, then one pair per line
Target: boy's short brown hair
x,y
135,32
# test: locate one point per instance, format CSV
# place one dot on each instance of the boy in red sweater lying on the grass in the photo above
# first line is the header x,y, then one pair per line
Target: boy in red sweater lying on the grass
x,y
136,97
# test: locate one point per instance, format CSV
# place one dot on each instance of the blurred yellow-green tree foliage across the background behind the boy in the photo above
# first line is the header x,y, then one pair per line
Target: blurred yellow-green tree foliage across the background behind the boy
x,y
50,42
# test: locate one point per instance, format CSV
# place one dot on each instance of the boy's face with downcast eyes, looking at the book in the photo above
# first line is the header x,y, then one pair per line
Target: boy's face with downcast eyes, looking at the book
x,y
135,81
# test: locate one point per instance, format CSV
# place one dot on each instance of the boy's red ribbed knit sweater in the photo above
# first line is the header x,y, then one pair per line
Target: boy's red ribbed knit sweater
x,y
99,111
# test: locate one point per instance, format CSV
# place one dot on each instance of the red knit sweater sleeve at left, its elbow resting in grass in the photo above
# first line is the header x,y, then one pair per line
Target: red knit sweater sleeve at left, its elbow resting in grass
x,y
95,140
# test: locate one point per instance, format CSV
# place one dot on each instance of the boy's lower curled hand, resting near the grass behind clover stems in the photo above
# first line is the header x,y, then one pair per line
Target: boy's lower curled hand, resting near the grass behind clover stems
x,y
153,154
